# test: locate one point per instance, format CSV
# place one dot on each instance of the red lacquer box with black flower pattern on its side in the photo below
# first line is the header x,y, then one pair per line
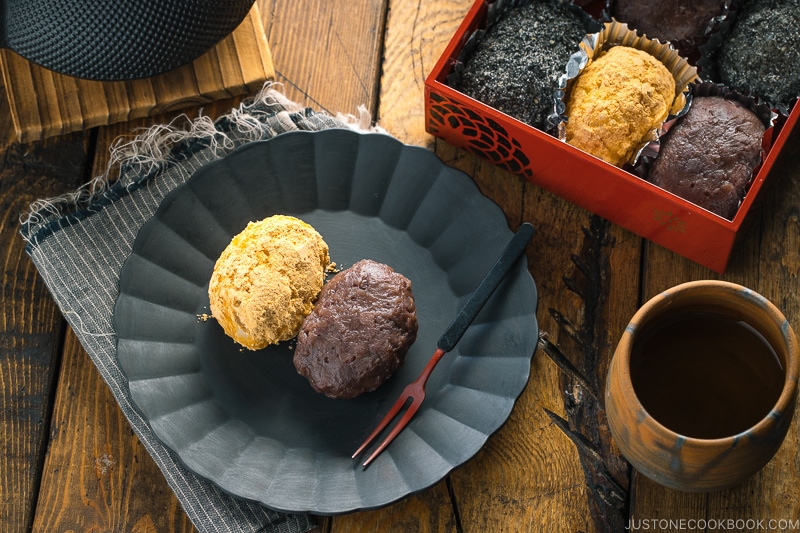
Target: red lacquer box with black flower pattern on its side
x,y
619,196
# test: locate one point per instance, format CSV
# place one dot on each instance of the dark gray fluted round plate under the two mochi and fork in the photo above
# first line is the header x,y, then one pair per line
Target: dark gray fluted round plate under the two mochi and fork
x,y
246,420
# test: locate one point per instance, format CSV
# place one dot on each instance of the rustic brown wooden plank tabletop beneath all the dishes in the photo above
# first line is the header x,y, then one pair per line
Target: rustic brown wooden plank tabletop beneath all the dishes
x,y
70,461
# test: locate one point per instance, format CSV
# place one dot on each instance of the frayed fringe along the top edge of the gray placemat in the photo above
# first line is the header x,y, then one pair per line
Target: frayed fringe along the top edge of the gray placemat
x,y
138,160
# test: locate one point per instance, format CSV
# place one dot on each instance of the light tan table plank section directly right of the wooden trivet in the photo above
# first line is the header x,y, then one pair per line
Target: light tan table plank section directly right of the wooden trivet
x,y
327,53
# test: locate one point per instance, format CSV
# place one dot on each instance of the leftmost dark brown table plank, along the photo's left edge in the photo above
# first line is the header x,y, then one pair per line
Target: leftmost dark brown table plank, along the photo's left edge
x,y
31,327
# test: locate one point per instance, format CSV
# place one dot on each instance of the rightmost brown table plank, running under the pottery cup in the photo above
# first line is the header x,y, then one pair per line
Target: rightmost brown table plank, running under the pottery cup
x,y
766,260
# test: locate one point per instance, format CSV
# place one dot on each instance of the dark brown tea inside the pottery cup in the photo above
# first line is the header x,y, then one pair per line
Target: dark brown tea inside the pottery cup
x,y
705,374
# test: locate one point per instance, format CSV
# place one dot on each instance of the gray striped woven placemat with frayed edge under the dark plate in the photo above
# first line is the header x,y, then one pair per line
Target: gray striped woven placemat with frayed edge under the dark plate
x,y
79,242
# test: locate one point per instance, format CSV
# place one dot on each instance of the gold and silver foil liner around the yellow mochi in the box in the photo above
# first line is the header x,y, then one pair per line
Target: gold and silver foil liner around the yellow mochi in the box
x,y
618,34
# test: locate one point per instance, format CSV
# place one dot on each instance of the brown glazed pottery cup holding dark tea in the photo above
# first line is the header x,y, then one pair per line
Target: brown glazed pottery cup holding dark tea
x,y
655,440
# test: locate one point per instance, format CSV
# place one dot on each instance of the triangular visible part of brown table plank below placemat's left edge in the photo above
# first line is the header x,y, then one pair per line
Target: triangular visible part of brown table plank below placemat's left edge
x,y
97,475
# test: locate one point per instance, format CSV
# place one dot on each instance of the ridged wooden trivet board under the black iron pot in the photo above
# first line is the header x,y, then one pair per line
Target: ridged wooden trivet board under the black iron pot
x,y
44,103
